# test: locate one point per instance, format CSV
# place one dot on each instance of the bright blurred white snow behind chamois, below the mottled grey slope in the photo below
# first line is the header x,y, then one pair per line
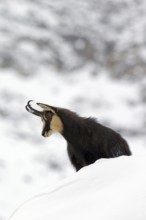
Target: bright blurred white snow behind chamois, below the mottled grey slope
x,y
27,161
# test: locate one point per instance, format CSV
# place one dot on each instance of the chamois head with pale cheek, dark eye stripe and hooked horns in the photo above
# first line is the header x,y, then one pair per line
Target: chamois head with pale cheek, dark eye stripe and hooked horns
x,y
51,121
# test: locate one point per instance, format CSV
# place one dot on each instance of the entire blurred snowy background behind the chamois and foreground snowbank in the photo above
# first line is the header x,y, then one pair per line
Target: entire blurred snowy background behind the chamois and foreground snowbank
x,y
88,56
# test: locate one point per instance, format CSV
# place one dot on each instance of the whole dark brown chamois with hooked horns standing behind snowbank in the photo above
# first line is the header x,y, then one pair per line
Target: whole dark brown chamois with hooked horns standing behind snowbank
x,y
87,140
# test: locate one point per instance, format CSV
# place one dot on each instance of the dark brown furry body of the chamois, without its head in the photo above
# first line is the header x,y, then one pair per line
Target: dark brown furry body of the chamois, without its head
x,y
89,141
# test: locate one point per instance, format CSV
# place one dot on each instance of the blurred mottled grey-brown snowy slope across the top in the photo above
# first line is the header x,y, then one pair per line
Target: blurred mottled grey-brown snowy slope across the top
x,y
68,34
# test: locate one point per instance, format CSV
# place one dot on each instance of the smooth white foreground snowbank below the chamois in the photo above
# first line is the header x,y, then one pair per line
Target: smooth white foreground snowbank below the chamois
x,y
109,189
